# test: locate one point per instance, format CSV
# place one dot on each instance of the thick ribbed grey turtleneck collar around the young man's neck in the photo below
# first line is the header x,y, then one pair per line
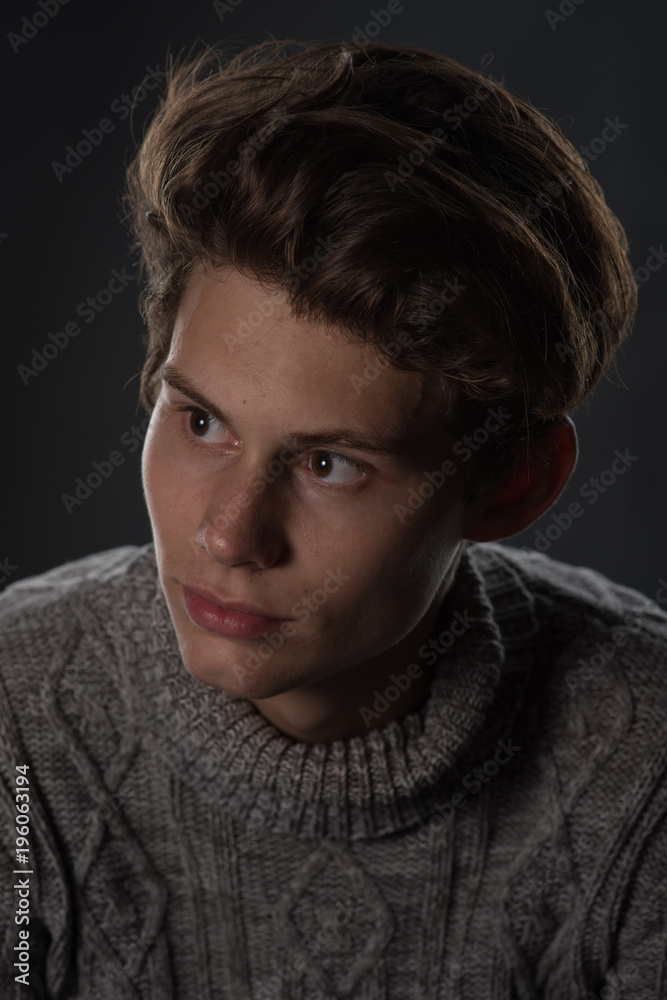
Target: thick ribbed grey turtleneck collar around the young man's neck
x,y
365,786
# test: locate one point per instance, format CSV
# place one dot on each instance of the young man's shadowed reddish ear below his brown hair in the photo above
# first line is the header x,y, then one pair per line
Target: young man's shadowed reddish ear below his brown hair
x,y
523,495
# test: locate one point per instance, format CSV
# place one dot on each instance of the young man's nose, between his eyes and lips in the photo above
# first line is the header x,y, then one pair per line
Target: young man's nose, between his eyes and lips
x,y
243,522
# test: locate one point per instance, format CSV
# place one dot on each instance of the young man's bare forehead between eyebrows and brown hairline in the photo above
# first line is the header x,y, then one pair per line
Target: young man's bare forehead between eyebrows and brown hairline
x,y
241,346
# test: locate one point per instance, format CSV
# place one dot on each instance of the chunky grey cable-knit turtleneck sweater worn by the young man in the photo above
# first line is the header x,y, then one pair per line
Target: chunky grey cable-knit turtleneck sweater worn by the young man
x,y
506,840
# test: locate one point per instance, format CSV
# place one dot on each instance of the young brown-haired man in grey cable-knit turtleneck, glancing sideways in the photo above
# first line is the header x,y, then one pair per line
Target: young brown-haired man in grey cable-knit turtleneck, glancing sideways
x,y
324,737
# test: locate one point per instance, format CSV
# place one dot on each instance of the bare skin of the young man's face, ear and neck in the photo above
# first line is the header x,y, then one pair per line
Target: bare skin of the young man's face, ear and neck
x,y
317,518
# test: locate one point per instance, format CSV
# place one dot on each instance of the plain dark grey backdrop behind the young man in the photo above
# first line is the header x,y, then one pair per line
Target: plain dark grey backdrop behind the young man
x,y
61,240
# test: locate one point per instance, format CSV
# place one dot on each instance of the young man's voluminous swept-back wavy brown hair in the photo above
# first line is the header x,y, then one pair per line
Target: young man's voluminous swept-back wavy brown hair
x,y
413,202
